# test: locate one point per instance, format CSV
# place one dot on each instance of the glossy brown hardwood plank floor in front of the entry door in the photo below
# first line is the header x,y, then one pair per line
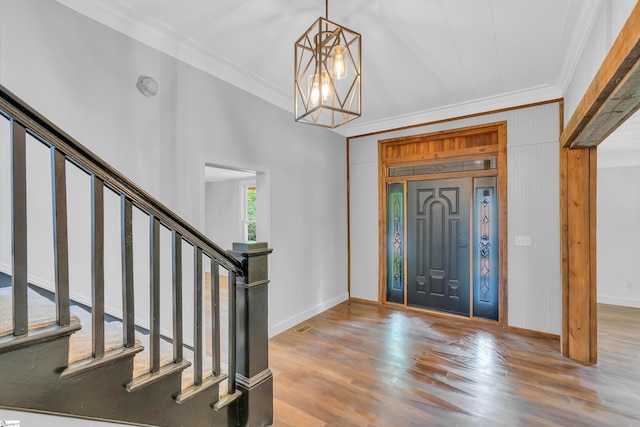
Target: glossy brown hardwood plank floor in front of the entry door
x,y
367,365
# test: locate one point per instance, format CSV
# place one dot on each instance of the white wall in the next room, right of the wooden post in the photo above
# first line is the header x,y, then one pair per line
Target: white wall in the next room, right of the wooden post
x,y
618,234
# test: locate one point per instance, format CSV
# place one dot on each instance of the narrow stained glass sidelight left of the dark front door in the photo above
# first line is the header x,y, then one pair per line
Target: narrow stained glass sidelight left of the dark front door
x,y
395,242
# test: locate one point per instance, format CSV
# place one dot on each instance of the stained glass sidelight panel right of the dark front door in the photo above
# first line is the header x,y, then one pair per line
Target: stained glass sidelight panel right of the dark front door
x,y
485,253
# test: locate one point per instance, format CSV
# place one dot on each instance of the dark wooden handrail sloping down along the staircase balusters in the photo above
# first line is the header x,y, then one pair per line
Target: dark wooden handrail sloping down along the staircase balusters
x,y
90,162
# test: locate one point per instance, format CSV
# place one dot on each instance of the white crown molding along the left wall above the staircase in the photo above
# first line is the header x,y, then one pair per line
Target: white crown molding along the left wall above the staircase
x,y
119,16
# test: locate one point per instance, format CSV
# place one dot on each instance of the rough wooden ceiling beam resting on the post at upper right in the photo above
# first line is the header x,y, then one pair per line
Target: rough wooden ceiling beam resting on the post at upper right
x,y
614,93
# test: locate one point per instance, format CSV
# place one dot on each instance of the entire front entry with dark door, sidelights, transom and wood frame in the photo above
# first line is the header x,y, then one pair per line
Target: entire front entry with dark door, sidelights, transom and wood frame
x,y
443,223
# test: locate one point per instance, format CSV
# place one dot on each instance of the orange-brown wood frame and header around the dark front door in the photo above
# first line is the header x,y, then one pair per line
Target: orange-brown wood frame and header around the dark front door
x,y
476,142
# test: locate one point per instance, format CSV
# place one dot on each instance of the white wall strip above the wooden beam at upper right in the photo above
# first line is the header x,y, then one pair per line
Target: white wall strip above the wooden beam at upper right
x,y
611,17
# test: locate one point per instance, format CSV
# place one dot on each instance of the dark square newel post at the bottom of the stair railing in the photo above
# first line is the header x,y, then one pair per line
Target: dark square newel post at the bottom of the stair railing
x,y
253,376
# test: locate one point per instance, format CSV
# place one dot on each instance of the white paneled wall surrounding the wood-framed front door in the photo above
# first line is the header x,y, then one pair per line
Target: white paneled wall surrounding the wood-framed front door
x,y
533,210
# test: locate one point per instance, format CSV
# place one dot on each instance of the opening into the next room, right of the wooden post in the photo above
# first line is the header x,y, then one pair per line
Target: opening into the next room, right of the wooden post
x,y
618,273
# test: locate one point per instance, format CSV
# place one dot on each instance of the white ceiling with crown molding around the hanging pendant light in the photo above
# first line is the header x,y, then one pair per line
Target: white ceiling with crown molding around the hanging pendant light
x,y
422,60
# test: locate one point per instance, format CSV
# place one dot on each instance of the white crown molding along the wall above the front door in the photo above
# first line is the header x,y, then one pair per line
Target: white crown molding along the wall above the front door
x,y
493,103
